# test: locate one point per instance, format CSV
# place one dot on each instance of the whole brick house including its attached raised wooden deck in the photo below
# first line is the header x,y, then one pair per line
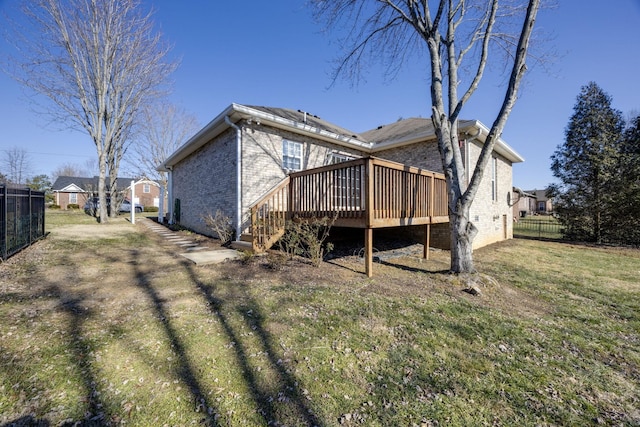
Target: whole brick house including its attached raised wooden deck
x,y
242,157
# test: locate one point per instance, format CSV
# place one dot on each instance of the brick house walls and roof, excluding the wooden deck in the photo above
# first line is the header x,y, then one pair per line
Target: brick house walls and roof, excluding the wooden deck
x,y
268,143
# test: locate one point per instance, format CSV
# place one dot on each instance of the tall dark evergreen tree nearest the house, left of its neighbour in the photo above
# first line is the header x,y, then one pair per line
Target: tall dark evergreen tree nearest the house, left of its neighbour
x,y
586,165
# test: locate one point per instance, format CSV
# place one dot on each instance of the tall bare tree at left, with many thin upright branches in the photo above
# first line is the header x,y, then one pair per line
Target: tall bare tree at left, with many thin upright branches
x,y
97,62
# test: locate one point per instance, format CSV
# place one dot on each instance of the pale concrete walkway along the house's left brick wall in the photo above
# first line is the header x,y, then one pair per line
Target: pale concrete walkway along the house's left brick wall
x,y
195,253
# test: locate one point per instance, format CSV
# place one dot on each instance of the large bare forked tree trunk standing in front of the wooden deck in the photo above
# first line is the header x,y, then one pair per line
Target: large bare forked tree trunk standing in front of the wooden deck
x,y
458,36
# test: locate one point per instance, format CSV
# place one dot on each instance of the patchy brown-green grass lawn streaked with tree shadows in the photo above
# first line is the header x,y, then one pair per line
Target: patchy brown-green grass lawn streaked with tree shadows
x,y
108,325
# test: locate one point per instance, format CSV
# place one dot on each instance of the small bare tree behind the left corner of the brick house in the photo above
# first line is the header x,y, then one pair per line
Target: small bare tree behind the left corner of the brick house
x,y
164,128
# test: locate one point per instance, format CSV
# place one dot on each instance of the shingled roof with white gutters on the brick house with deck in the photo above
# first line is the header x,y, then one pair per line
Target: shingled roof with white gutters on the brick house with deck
x,y
403,132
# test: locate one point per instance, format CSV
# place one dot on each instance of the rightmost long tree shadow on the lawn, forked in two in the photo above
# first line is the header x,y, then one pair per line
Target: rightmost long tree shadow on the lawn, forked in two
x,y
251,312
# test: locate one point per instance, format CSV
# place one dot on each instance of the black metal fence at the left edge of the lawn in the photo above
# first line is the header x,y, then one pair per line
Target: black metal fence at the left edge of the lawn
x,y
21,219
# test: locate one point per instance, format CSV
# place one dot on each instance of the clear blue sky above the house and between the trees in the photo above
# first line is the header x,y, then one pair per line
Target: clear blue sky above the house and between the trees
x,y
273,53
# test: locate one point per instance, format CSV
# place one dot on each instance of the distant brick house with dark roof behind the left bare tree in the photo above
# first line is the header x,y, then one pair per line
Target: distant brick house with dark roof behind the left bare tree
x,y
77,190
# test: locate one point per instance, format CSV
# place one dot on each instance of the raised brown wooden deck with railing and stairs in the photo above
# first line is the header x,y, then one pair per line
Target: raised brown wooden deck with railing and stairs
x,y
365,193
